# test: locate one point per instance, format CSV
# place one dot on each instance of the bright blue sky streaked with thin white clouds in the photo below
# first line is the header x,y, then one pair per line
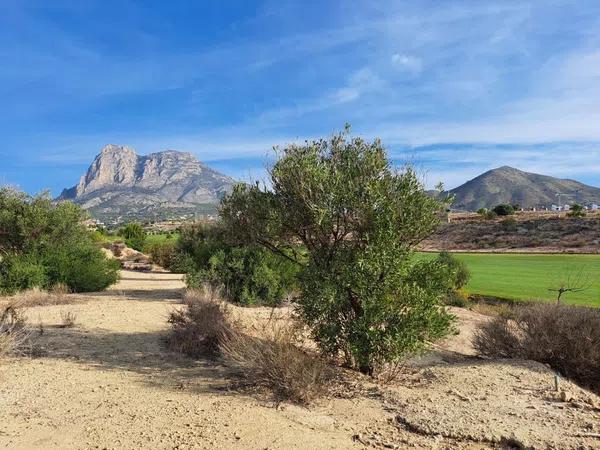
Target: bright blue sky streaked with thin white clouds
x,y
456,87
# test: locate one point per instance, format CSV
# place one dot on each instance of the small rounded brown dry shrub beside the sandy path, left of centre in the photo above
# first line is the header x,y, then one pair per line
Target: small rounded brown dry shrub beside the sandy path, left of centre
x,y
199,326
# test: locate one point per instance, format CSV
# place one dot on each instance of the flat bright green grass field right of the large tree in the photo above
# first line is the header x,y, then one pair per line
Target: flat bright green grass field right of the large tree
x,y
529,276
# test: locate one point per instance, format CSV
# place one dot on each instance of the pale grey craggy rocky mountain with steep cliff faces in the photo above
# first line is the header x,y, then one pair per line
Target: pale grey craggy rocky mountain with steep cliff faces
x,y
122,185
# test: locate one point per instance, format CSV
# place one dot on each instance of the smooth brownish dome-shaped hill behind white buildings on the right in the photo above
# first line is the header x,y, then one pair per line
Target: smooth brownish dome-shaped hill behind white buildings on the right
x,y
509,185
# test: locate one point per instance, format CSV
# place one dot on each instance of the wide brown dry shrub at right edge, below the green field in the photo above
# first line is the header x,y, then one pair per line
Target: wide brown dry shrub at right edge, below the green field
x,y
565,337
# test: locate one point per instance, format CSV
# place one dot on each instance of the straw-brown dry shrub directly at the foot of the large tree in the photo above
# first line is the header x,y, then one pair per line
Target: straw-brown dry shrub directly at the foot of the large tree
x,y
271,358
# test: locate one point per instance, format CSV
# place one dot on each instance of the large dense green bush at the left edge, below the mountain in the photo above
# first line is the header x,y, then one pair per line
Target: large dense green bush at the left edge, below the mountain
x,y
43,244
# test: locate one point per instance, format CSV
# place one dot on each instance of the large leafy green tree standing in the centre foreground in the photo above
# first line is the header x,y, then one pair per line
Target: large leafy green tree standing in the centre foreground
x,y
341,210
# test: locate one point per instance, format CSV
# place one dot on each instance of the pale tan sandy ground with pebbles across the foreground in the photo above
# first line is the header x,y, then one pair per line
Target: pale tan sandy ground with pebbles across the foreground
x,y
109,382
